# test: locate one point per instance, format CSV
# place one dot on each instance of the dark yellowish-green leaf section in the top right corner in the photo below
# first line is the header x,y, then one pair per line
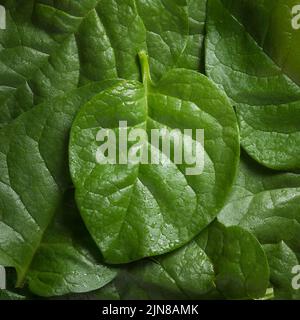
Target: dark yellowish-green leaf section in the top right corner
x,y
269,23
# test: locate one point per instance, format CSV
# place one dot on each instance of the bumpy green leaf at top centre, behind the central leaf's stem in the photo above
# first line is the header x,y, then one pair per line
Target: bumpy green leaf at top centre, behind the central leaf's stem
x,y
111,33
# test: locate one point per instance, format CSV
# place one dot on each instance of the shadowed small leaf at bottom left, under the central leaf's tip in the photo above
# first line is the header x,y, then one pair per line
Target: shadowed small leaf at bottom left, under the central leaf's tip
x,y
67,259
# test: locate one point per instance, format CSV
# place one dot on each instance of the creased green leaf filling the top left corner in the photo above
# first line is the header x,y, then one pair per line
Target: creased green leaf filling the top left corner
x,y
34,64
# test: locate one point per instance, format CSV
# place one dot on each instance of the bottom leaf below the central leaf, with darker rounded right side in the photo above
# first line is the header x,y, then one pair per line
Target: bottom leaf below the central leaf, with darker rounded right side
x,y
221,262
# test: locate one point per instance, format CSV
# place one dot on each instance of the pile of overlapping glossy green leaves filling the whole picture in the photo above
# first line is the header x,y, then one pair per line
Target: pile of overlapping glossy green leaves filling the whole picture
x,y
74,228
